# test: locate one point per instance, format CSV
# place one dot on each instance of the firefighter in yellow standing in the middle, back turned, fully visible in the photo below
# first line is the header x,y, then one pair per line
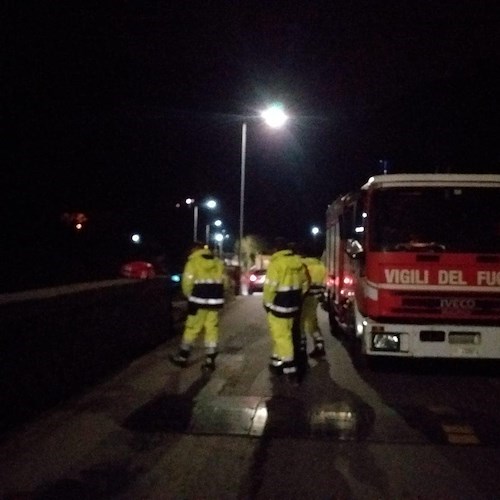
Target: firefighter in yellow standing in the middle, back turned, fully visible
x,y
286,282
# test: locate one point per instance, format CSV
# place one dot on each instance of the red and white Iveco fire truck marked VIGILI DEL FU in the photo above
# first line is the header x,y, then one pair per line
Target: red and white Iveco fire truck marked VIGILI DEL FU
x,y
414,266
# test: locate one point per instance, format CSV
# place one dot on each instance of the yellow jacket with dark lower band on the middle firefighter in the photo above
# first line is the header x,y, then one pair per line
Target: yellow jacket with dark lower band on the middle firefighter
x,y
286,282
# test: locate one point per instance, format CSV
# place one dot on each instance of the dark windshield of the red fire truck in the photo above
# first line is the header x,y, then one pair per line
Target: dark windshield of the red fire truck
x,y
464,219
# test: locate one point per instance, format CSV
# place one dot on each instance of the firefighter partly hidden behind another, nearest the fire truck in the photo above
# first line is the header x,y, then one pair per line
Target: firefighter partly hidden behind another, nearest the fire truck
x,y
309,325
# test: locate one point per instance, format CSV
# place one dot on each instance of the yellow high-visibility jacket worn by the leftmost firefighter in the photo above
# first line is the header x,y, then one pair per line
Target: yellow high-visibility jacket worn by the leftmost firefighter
x,y
204,280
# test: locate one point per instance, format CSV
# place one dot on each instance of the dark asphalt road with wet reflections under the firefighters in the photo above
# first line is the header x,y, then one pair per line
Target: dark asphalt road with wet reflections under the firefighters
x,y
158,431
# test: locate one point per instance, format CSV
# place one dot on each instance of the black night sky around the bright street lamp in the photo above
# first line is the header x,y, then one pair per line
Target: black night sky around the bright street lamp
x,y
128,107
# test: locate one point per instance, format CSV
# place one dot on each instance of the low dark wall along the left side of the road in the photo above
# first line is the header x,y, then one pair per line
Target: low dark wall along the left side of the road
x,y
55,342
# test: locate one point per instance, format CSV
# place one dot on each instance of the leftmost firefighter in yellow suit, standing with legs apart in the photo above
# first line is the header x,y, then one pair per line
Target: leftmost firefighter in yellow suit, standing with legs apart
x,y
203,283
